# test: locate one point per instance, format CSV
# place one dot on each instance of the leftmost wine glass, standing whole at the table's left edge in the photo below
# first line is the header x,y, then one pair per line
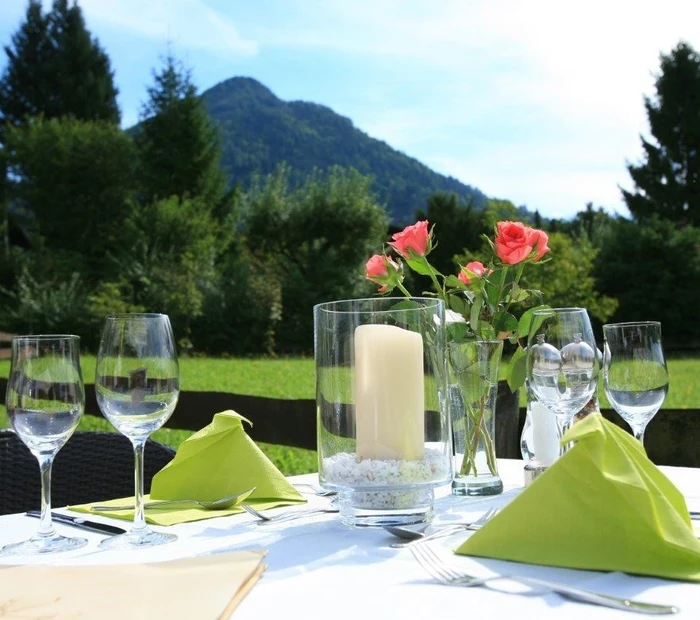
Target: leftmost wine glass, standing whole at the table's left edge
x,y
45,400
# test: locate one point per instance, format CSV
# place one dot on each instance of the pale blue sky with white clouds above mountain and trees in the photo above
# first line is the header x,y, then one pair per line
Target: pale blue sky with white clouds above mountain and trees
x,y
538,101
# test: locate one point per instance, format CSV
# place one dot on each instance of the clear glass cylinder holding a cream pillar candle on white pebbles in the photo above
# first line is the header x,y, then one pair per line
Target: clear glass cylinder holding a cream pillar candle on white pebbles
x,y
383,431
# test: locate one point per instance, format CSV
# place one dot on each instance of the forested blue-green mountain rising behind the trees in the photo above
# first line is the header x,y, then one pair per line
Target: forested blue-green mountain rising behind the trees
x,y
259,131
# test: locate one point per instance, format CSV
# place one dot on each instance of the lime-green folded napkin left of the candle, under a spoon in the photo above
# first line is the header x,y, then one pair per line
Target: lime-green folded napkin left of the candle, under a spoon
x,y
215,462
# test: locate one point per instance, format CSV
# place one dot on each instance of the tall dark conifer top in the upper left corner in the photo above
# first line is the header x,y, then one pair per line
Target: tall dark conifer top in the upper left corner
x,y
56,68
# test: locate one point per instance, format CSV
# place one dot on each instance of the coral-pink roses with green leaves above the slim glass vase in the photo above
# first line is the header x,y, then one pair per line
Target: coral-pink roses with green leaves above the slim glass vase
x,y
480,298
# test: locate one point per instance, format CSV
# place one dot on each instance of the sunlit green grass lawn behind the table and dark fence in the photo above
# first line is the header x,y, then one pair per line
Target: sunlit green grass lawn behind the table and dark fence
x,y
295,378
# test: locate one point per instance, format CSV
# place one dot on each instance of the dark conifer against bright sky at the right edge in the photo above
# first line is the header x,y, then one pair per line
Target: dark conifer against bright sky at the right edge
x,y
668,181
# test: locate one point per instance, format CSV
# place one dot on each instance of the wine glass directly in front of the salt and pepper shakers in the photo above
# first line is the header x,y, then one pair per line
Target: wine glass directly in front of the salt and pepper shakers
x,y
562,365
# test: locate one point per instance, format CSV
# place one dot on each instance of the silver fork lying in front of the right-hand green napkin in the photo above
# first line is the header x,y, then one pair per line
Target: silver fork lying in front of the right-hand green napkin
x,y
447,575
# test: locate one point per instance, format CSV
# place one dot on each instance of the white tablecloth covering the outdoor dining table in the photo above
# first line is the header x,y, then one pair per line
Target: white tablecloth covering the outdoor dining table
x,y
319,568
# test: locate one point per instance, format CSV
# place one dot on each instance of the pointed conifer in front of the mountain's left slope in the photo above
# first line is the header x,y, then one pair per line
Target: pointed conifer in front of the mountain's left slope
x,y
179,145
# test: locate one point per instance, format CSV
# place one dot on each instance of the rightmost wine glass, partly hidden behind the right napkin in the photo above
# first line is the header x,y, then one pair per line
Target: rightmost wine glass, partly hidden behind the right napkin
x,y
634,372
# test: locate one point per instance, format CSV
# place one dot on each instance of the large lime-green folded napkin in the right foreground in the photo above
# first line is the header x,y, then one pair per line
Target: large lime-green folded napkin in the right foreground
x,y
602,506
